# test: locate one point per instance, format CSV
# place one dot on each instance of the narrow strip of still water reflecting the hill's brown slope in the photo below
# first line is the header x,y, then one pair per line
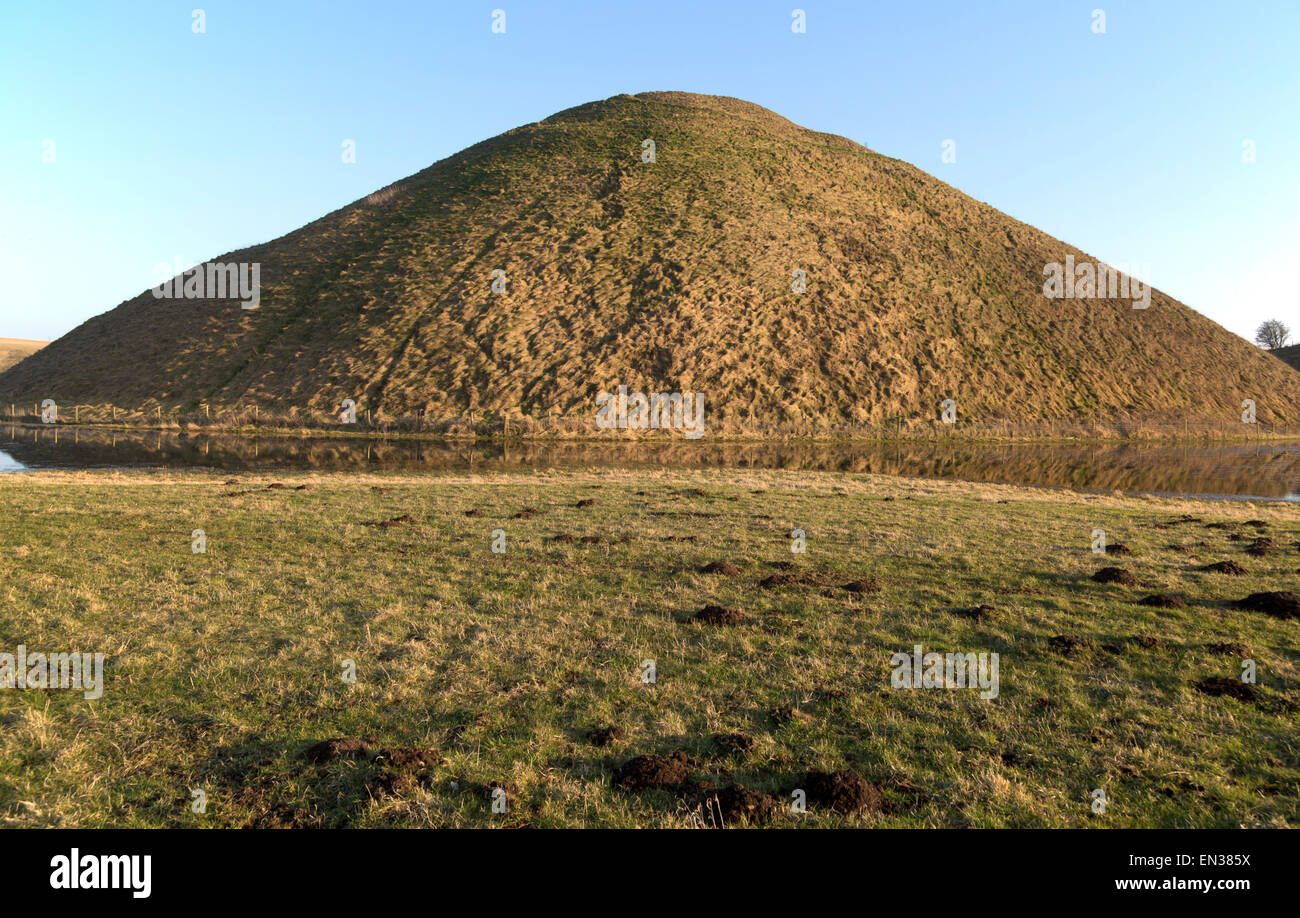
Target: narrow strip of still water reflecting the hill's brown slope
x,y
1215,469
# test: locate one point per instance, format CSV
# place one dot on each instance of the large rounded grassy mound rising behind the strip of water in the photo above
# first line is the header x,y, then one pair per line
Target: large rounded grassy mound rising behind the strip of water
x,y
668,276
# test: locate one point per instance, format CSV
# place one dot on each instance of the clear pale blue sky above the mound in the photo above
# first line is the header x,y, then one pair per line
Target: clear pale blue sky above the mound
x,y
170,144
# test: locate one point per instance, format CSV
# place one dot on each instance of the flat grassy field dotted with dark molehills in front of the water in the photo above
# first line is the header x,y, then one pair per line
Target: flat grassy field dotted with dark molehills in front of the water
x,y
224,668
